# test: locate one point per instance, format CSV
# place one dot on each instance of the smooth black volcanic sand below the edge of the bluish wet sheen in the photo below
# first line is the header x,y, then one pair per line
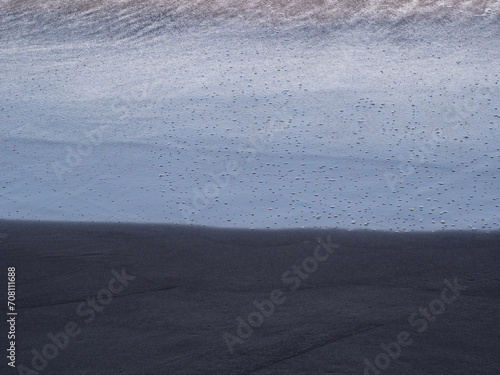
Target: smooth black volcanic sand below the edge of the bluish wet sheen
x,y
191,284
